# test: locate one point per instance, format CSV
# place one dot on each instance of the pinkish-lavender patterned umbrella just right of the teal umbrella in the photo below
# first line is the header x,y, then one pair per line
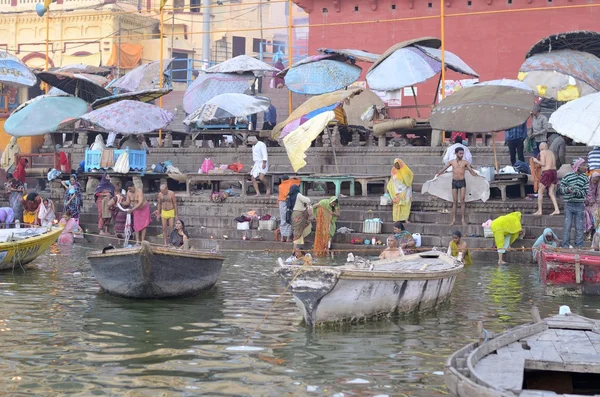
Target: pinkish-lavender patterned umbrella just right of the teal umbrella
x,y
129,117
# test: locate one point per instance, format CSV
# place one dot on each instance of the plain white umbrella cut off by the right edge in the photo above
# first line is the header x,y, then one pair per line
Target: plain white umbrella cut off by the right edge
x,y
579,120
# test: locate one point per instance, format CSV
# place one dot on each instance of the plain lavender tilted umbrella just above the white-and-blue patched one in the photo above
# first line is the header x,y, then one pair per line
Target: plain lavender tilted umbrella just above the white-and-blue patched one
x,y
208,85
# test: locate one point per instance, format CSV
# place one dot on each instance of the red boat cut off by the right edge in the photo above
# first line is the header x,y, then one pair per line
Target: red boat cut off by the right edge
x,y
570,271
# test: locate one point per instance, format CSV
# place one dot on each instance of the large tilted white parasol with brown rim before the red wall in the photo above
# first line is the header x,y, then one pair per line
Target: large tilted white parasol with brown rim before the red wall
x,y
407,66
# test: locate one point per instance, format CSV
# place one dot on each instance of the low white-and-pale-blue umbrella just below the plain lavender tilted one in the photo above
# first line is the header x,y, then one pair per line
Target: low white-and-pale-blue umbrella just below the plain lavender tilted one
x,y
225,106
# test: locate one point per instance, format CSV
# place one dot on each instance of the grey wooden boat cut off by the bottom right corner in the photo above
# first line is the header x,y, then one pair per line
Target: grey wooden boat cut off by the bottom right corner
x,y
557,356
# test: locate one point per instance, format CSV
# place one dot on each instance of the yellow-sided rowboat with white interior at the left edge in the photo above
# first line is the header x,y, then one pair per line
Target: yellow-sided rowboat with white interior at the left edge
x,y
18,247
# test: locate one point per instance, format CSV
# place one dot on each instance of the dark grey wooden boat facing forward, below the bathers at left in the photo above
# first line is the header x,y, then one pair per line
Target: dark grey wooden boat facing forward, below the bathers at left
x,y
149,272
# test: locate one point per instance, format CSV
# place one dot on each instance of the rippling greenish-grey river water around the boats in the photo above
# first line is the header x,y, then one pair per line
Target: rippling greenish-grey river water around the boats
x,y
59,336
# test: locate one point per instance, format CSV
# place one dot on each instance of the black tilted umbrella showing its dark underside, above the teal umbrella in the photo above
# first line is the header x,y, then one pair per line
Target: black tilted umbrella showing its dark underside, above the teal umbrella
x,y
79,85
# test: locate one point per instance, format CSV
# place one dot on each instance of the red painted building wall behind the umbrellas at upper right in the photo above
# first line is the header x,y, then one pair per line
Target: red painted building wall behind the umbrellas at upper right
x,y
494,45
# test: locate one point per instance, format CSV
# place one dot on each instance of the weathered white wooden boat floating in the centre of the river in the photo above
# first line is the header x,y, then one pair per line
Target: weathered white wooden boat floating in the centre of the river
x,y
368,289
